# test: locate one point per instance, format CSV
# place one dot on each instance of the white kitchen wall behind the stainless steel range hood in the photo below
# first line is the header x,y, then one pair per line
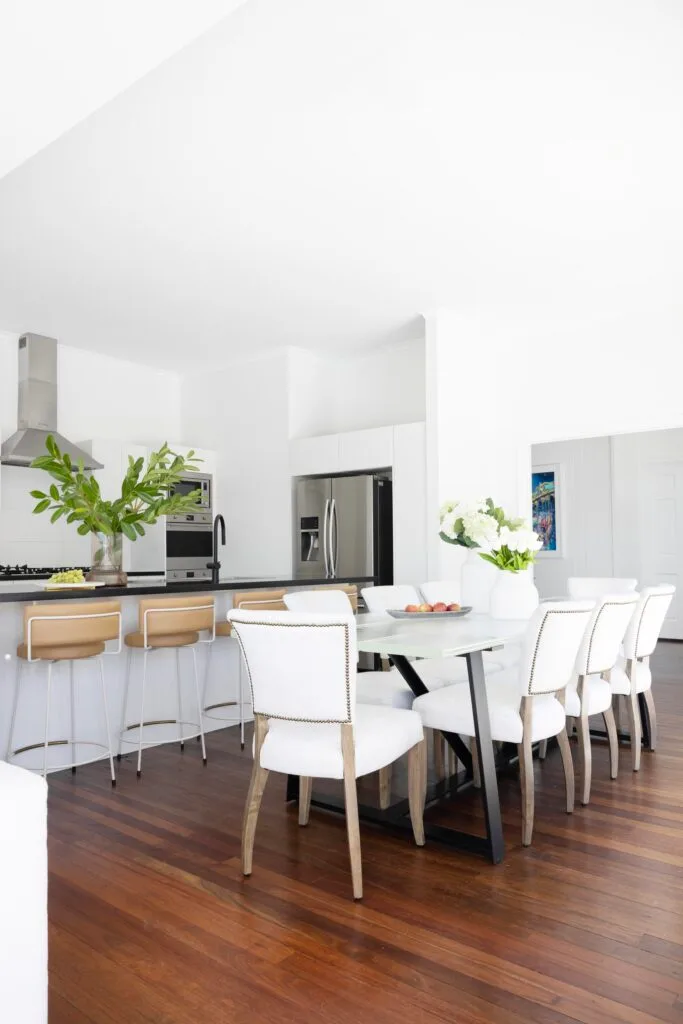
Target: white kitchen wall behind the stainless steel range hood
x,y
99,397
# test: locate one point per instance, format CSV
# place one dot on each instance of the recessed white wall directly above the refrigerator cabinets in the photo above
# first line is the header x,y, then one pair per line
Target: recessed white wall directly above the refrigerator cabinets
x,y
373,390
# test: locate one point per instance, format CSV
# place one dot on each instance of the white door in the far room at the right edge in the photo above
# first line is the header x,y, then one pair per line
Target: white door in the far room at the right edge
x,y
662,535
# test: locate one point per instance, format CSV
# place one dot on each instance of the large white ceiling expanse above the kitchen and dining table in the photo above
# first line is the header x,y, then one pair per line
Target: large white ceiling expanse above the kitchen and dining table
x,y
319,174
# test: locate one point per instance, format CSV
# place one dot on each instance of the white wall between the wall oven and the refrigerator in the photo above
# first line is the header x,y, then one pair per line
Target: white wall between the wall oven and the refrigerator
x,y
242,412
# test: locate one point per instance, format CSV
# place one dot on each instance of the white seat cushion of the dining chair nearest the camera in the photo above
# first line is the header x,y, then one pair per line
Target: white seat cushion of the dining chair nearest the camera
x,y
381,737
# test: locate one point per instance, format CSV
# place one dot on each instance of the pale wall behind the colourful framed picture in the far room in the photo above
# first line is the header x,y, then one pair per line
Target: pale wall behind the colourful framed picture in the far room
x,y
585,510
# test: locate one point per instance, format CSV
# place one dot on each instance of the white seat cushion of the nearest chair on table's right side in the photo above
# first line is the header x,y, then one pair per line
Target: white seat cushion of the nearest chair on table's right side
x,y
451,711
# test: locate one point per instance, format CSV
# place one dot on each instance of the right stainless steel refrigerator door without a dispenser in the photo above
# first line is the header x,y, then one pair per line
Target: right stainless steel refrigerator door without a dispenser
x,y
352,527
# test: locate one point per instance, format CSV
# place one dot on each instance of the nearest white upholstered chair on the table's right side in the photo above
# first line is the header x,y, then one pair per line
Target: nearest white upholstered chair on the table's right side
x,y
525,705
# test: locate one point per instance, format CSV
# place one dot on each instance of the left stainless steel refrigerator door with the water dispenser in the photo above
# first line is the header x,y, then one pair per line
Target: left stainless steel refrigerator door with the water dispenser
x,y
312,523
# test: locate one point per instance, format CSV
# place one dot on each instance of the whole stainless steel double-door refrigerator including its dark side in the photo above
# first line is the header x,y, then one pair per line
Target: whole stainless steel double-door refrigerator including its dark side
x,y
344,528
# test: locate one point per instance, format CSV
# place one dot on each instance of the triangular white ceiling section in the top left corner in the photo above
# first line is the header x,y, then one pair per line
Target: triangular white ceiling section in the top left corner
x,y
60,62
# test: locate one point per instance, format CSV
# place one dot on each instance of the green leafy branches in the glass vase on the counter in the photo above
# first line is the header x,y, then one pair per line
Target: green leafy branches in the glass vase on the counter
x,y
145,492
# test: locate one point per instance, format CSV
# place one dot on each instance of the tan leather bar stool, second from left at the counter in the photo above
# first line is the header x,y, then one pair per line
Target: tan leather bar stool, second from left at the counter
x,y
168,624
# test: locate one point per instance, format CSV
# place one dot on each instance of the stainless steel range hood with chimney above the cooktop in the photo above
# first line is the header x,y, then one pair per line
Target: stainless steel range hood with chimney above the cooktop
x,y
38,407
